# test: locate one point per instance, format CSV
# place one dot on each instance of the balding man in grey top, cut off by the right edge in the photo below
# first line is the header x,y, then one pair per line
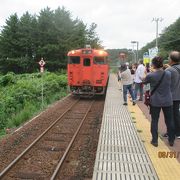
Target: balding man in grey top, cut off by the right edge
x,y
174,62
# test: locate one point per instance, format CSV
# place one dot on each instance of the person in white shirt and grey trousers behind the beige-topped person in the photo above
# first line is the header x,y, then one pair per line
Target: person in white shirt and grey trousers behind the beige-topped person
x,y
139,75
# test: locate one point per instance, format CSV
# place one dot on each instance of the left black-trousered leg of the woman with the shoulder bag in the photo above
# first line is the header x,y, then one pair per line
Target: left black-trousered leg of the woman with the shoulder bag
x,y
154,123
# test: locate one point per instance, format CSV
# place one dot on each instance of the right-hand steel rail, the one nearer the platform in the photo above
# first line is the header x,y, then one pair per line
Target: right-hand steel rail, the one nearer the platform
x,y
70,144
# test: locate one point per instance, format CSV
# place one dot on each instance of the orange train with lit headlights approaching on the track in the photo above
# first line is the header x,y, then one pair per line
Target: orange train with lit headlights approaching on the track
x,y
87,71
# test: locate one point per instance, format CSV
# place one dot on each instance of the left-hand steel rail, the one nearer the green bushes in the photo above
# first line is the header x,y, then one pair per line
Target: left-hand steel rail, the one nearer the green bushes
x,y
33,143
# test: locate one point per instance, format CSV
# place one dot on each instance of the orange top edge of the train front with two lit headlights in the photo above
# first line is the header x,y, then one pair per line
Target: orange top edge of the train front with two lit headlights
x,y
87,51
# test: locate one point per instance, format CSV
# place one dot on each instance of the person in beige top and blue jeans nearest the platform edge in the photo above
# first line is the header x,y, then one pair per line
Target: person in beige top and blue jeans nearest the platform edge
x,y
127,83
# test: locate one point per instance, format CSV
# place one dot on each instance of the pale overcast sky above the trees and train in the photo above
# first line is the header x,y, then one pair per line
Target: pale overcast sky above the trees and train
x,y
119,21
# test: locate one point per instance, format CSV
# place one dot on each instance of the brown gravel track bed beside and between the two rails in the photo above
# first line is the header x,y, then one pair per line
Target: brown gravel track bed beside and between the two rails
x,y
79,163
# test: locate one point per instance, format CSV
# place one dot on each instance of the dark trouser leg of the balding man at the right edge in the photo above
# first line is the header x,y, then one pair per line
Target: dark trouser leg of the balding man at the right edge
x,y
176,117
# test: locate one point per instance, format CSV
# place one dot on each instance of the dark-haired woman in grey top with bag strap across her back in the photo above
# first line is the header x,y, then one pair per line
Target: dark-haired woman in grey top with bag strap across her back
x,y
161,98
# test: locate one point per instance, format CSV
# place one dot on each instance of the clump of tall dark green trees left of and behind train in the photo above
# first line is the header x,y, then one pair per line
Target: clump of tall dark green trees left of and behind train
x,y
50,35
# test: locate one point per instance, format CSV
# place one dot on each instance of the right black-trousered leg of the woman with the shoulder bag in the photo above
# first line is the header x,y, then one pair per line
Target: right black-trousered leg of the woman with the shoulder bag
x,y
168,116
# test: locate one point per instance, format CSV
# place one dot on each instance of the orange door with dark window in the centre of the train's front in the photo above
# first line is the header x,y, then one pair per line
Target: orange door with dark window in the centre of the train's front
x,y
87,71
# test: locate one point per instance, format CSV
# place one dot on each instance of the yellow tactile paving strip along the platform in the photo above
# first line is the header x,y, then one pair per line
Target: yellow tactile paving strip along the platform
x,y
167,168
